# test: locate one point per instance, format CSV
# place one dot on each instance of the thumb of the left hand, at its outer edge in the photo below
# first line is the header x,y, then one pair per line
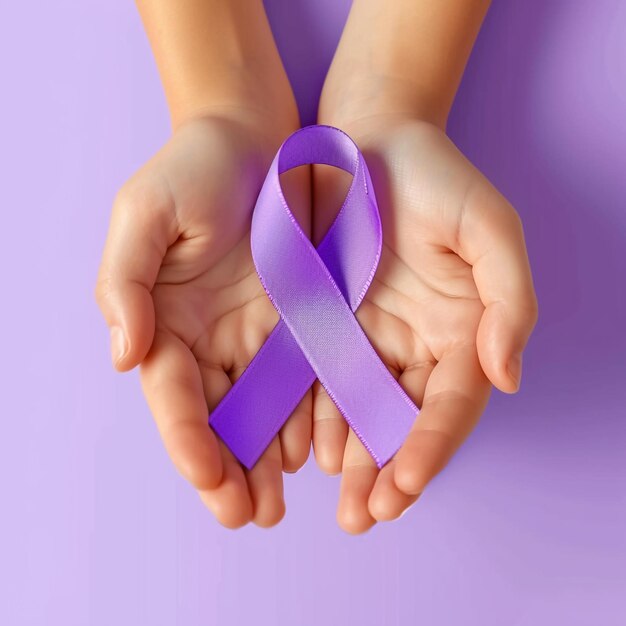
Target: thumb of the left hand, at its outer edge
x,y
139,234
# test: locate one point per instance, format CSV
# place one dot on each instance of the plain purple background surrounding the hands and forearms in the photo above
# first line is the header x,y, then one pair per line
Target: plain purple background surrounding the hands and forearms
x,y
528,524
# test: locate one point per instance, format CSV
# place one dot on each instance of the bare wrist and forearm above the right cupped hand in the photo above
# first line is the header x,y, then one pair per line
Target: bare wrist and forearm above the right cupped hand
x,y
401,58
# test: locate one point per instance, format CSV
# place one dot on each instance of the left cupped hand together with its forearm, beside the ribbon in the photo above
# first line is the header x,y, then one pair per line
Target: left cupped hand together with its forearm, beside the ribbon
x,y
177,284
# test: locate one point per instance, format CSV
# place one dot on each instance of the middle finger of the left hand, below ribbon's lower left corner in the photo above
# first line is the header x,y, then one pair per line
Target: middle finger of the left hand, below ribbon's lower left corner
x,y
230,501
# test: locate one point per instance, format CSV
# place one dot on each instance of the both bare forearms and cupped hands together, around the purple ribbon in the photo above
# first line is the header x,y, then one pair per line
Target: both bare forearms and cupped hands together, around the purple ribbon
x,y
452,304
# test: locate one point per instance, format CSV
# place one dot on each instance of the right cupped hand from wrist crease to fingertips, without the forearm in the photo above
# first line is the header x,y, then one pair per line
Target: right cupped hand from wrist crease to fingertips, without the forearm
x,y
450,309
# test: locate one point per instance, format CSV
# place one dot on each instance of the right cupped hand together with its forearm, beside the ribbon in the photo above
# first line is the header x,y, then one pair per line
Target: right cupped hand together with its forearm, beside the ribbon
x,y
452,304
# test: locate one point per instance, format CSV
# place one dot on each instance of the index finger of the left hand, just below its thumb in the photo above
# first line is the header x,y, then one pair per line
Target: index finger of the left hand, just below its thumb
x,y
173,388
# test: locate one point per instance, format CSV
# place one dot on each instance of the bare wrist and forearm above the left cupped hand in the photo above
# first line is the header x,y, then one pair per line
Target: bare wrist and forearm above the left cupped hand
x,y
217,57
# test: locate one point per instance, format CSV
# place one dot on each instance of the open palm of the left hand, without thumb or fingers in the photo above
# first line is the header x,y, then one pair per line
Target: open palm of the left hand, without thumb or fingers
x,y
207,292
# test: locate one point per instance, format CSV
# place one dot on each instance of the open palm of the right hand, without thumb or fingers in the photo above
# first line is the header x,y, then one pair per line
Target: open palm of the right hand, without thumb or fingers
x,y
423,289
